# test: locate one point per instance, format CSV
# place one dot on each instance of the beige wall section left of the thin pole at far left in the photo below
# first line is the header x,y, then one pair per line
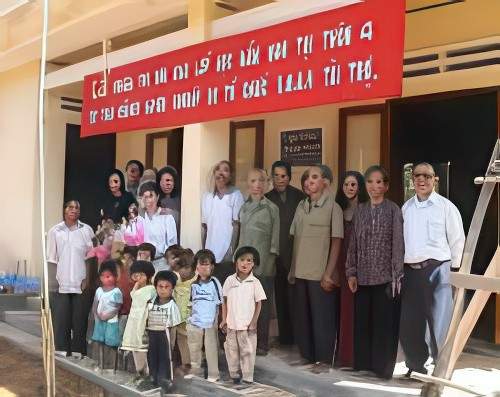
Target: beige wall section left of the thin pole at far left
x,y
19,203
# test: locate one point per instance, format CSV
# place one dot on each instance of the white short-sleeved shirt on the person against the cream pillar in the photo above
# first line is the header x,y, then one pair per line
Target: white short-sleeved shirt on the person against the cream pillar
x,y
218,214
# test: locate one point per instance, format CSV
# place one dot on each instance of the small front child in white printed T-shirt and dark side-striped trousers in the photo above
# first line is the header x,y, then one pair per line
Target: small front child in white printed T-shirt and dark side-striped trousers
x,y
163,314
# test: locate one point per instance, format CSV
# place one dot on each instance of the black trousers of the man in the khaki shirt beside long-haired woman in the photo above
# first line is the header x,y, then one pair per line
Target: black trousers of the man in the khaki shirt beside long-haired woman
x,y
315,320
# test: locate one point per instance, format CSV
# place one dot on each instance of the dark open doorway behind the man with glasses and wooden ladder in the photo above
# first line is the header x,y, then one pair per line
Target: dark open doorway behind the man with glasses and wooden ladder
x,y
461,129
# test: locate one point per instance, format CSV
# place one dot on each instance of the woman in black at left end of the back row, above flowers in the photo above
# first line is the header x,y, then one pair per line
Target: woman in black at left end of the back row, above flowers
x,y
116,199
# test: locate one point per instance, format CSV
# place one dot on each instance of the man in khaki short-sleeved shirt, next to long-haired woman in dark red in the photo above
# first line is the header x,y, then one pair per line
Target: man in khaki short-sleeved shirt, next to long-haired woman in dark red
x,y
318,231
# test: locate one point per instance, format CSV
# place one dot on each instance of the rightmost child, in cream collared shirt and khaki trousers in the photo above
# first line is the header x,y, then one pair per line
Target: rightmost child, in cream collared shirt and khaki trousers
x,y
243,296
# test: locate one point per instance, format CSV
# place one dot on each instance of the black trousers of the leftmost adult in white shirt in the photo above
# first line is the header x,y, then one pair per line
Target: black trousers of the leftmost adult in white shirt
x,y
71,312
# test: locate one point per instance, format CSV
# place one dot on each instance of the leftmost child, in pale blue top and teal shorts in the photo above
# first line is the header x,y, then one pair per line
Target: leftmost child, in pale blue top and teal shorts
x,y
107,301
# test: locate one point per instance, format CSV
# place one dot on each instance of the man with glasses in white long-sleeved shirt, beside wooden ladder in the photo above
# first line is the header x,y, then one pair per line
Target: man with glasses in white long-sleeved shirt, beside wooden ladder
x,y
434,241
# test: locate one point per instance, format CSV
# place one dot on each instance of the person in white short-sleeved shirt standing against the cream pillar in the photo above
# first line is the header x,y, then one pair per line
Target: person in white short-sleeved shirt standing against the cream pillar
x,y
219,218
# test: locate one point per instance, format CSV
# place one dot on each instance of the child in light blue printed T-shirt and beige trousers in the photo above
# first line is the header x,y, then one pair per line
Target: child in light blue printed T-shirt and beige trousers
x,y
206,293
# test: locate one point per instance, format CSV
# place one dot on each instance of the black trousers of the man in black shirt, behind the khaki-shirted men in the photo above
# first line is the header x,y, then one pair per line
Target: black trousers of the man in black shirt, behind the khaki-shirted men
x,y
283,295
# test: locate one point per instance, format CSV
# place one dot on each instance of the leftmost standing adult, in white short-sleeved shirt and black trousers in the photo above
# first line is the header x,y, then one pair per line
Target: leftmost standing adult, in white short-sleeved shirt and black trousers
x,y
67,244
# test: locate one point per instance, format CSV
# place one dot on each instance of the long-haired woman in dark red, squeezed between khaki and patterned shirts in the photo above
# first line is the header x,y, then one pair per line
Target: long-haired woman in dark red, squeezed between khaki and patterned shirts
x,y
350,193
